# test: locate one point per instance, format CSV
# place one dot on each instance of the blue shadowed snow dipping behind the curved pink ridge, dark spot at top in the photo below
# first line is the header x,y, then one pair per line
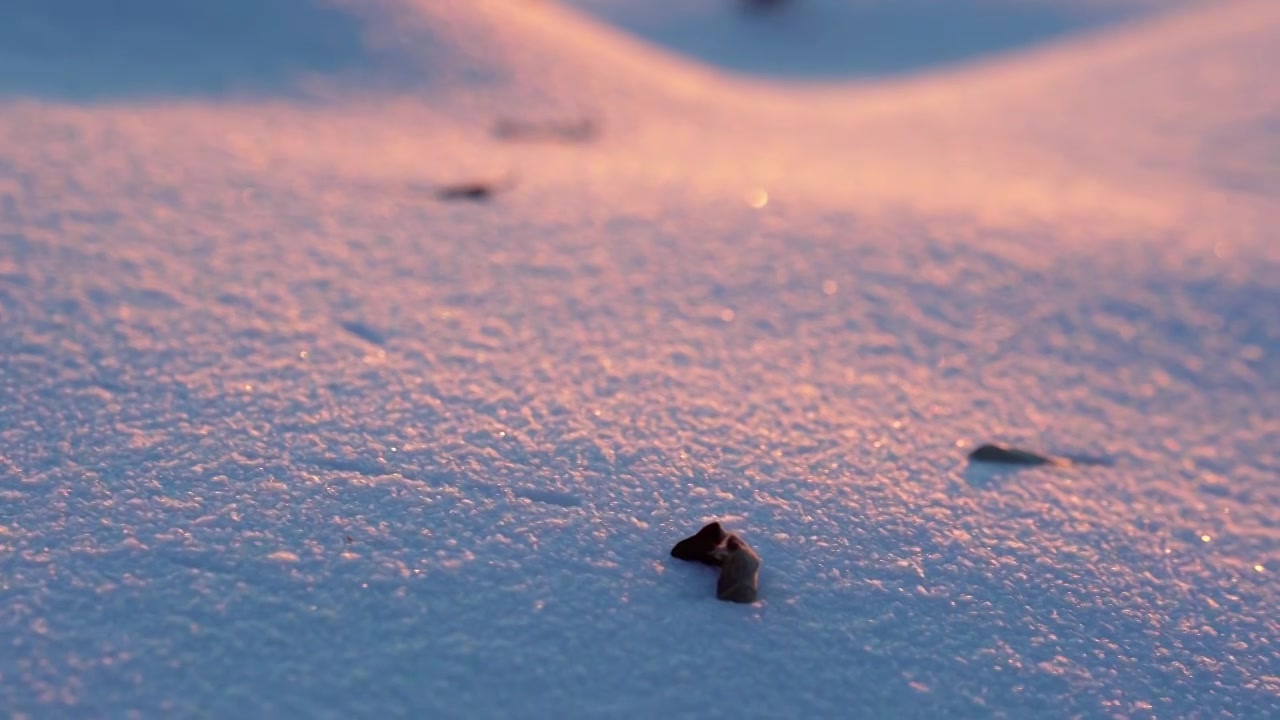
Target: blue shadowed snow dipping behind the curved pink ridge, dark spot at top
x,y
834,39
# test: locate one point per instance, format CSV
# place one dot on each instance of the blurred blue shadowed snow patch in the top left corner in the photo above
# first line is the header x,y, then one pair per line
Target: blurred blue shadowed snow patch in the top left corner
x,y
80,49
